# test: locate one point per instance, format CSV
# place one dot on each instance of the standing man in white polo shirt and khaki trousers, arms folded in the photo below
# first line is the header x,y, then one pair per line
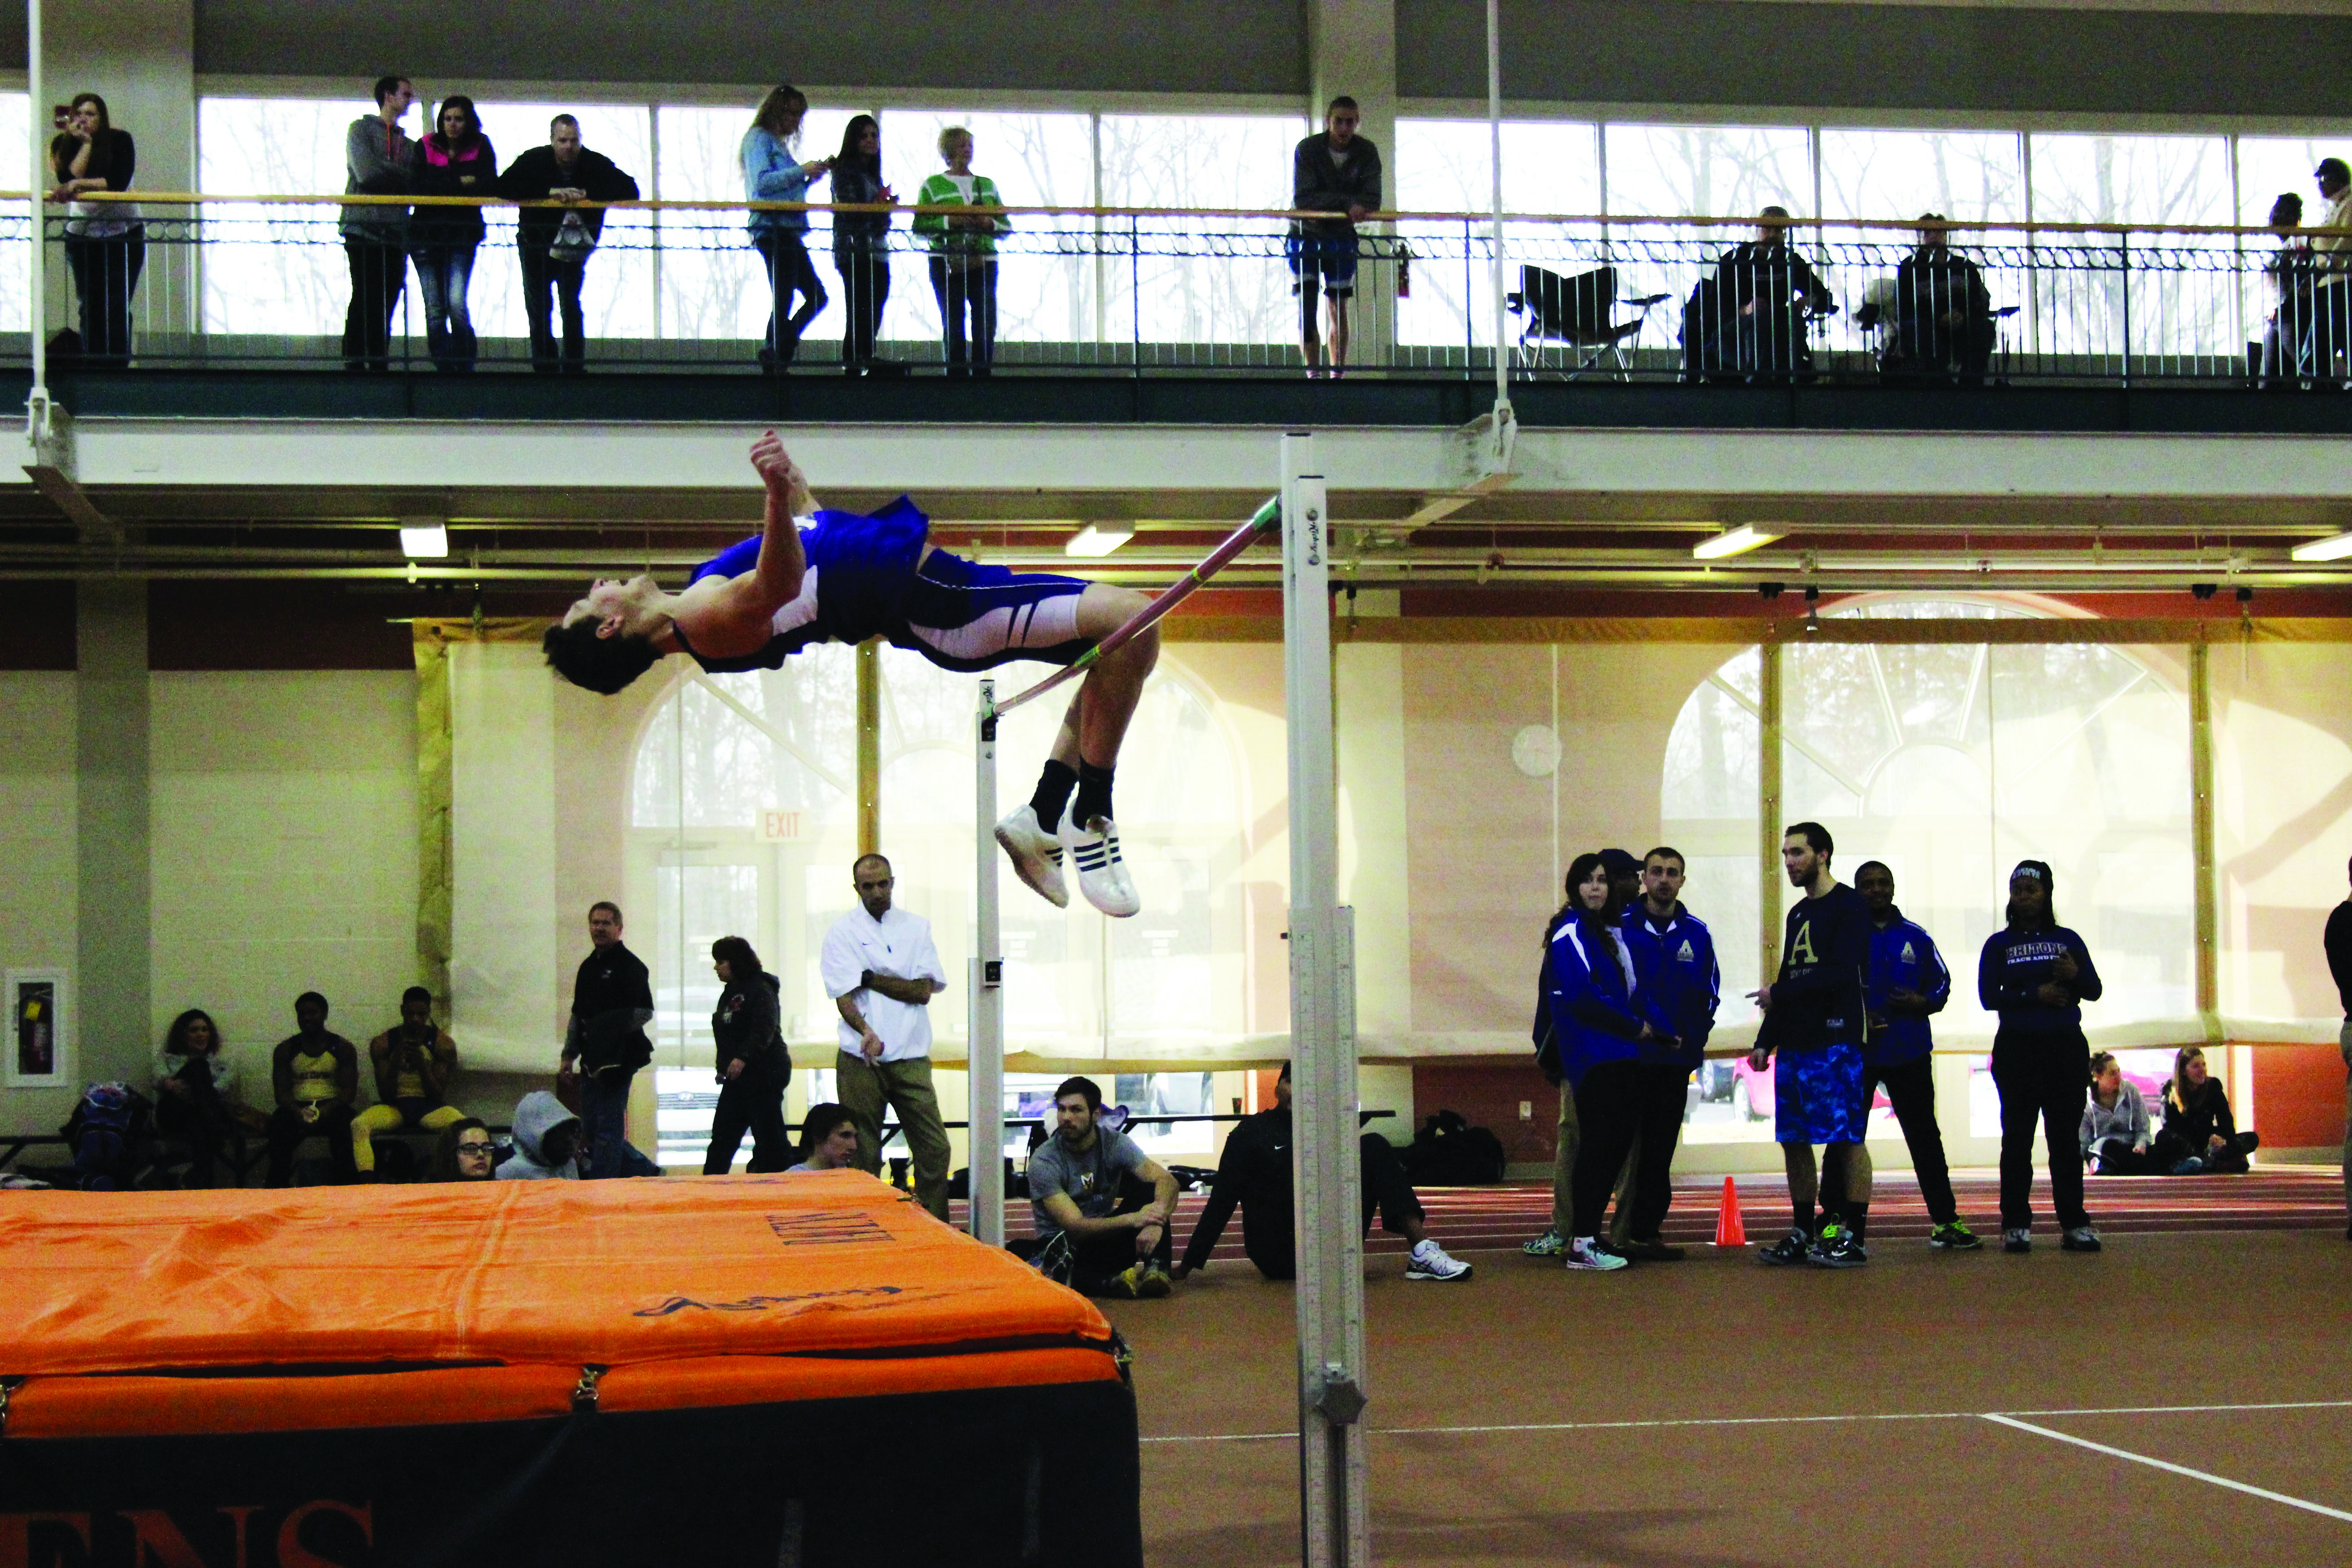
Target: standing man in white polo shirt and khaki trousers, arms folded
x,y
883,972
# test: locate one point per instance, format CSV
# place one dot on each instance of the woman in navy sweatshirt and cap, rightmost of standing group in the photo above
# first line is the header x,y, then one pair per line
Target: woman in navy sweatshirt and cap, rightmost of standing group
x,y
2036,977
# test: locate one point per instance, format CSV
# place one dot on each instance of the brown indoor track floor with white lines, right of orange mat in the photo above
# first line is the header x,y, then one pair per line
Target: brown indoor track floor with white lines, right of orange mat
x,y
2179,1400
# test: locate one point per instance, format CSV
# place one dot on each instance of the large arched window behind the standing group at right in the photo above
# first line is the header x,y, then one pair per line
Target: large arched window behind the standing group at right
x,y
1951,763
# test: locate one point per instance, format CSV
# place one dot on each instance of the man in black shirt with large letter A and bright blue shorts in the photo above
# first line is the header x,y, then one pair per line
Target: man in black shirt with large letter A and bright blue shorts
x,y
1815,1017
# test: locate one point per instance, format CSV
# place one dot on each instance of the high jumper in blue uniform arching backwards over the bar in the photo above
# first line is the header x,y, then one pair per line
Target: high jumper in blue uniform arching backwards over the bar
x,y
848,579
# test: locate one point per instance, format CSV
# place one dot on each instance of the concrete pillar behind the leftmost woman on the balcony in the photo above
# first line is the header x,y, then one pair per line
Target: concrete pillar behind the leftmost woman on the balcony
x,y
138,55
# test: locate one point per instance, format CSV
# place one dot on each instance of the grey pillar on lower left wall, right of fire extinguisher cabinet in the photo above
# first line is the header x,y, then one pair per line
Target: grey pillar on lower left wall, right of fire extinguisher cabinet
x,y
114,956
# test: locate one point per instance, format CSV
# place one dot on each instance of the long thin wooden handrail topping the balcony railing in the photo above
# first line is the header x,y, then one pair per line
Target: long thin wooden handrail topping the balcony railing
x,y
1579,220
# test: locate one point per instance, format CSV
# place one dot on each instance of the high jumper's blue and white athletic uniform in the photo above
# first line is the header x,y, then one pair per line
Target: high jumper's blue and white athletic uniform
x,y
867,577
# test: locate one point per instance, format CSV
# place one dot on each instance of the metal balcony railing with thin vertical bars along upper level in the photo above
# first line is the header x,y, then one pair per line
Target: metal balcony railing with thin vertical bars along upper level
x,y
262,281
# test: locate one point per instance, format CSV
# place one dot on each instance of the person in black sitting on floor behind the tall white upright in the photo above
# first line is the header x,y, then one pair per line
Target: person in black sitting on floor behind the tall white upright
x,y
1257,1174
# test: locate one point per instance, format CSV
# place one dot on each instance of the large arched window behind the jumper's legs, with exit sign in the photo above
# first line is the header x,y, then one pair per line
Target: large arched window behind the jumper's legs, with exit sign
x,y
744,822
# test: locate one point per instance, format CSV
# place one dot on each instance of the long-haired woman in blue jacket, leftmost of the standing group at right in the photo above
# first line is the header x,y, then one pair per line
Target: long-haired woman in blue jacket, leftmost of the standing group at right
x,y
1605,1010
